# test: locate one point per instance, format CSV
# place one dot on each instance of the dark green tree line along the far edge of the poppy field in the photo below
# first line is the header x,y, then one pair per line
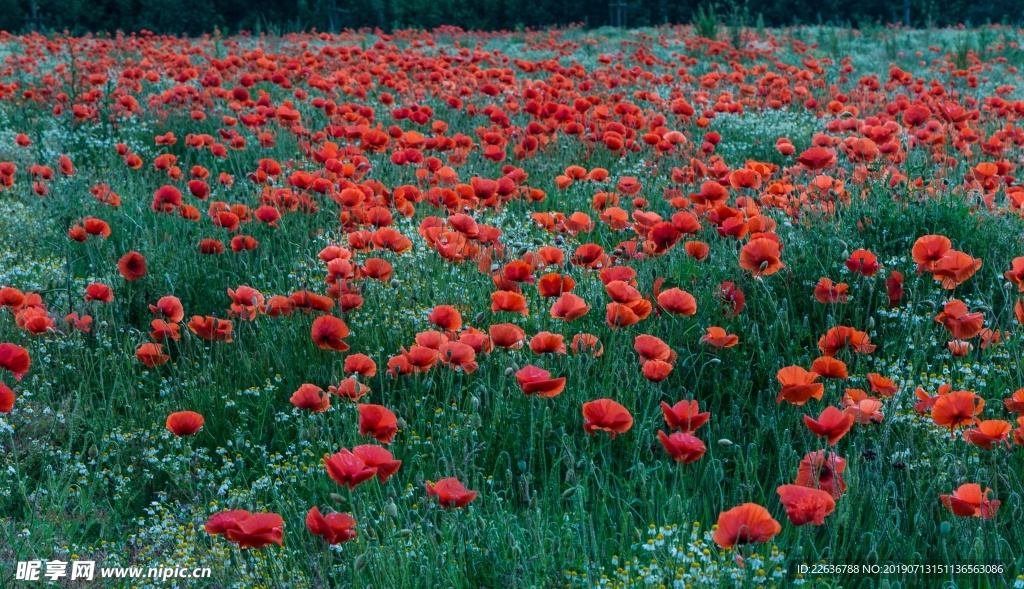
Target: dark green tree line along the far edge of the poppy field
x,y
196,17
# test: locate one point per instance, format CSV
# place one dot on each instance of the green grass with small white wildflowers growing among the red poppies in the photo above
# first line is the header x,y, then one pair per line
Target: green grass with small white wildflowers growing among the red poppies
x,y
92,473
